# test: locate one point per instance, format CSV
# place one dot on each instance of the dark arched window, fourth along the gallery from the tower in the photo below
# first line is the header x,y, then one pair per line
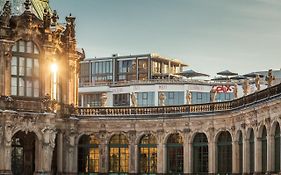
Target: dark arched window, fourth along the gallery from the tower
x,y
175,154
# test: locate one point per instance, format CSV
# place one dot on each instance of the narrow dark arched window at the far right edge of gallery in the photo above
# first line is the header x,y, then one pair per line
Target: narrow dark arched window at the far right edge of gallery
x,y
277,148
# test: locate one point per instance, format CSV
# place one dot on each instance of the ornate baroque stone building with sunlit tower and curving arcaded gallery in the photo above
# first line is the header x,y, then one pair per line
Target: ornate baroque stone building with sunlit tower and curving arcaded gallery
x,y
43,132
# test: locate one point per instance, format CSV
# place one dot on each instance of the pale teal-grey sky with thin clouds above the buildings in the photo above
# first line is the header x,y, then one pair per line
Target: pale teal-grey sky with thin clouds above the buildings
x,y
208,35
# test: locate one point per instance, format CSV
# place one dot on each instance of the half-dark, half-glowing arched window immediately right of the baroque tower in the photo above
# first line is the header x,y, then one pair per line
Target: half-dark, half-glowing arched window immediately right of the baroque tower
x,y
88,155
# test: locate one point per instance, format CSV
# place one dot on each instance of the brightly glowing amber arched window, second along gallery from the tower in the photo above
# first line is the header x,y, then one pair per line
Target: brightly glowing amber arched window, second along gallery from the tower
x,y
118,154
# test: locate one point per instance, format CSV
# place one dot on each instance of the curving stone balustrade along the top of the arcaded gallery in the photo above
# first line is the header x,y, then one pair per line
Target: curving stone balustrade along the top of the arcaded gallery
x,y
194,109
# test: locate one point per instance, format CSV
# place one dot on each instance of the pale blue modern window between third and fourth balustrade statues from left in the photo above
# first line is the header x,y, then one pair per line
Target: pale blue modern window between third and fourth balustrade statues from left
x,y
173,98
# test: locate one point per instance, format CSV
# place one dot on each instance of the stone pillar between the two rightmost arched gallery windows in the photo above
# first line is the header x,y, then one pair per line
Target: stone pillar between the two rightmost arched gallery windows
x,y
270,152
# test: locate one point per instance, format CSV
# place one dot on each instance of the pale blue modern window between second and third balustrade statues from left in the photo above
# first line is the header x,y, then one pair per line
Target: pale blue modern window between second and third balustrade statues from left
x,y
146,98
